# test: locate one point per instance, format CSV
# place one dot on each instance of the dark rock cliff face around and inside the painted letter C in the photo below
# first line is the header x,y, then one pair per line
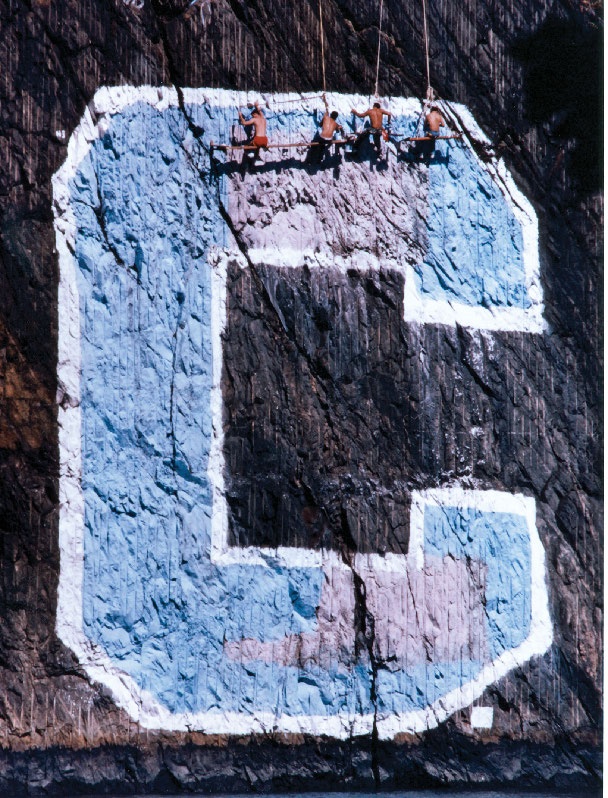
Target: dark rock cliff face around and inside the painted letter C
x,y
534,399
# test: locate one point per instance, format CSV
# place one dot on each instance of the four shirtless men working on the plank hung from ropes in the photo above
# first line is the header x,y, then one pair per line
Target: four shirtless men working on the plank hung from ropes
x,y
329,127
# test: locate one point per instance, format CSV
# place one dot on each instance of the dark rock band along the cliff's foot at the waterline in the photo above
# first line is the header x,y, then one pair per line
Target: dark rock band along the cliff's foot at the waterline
x,y
276,765
